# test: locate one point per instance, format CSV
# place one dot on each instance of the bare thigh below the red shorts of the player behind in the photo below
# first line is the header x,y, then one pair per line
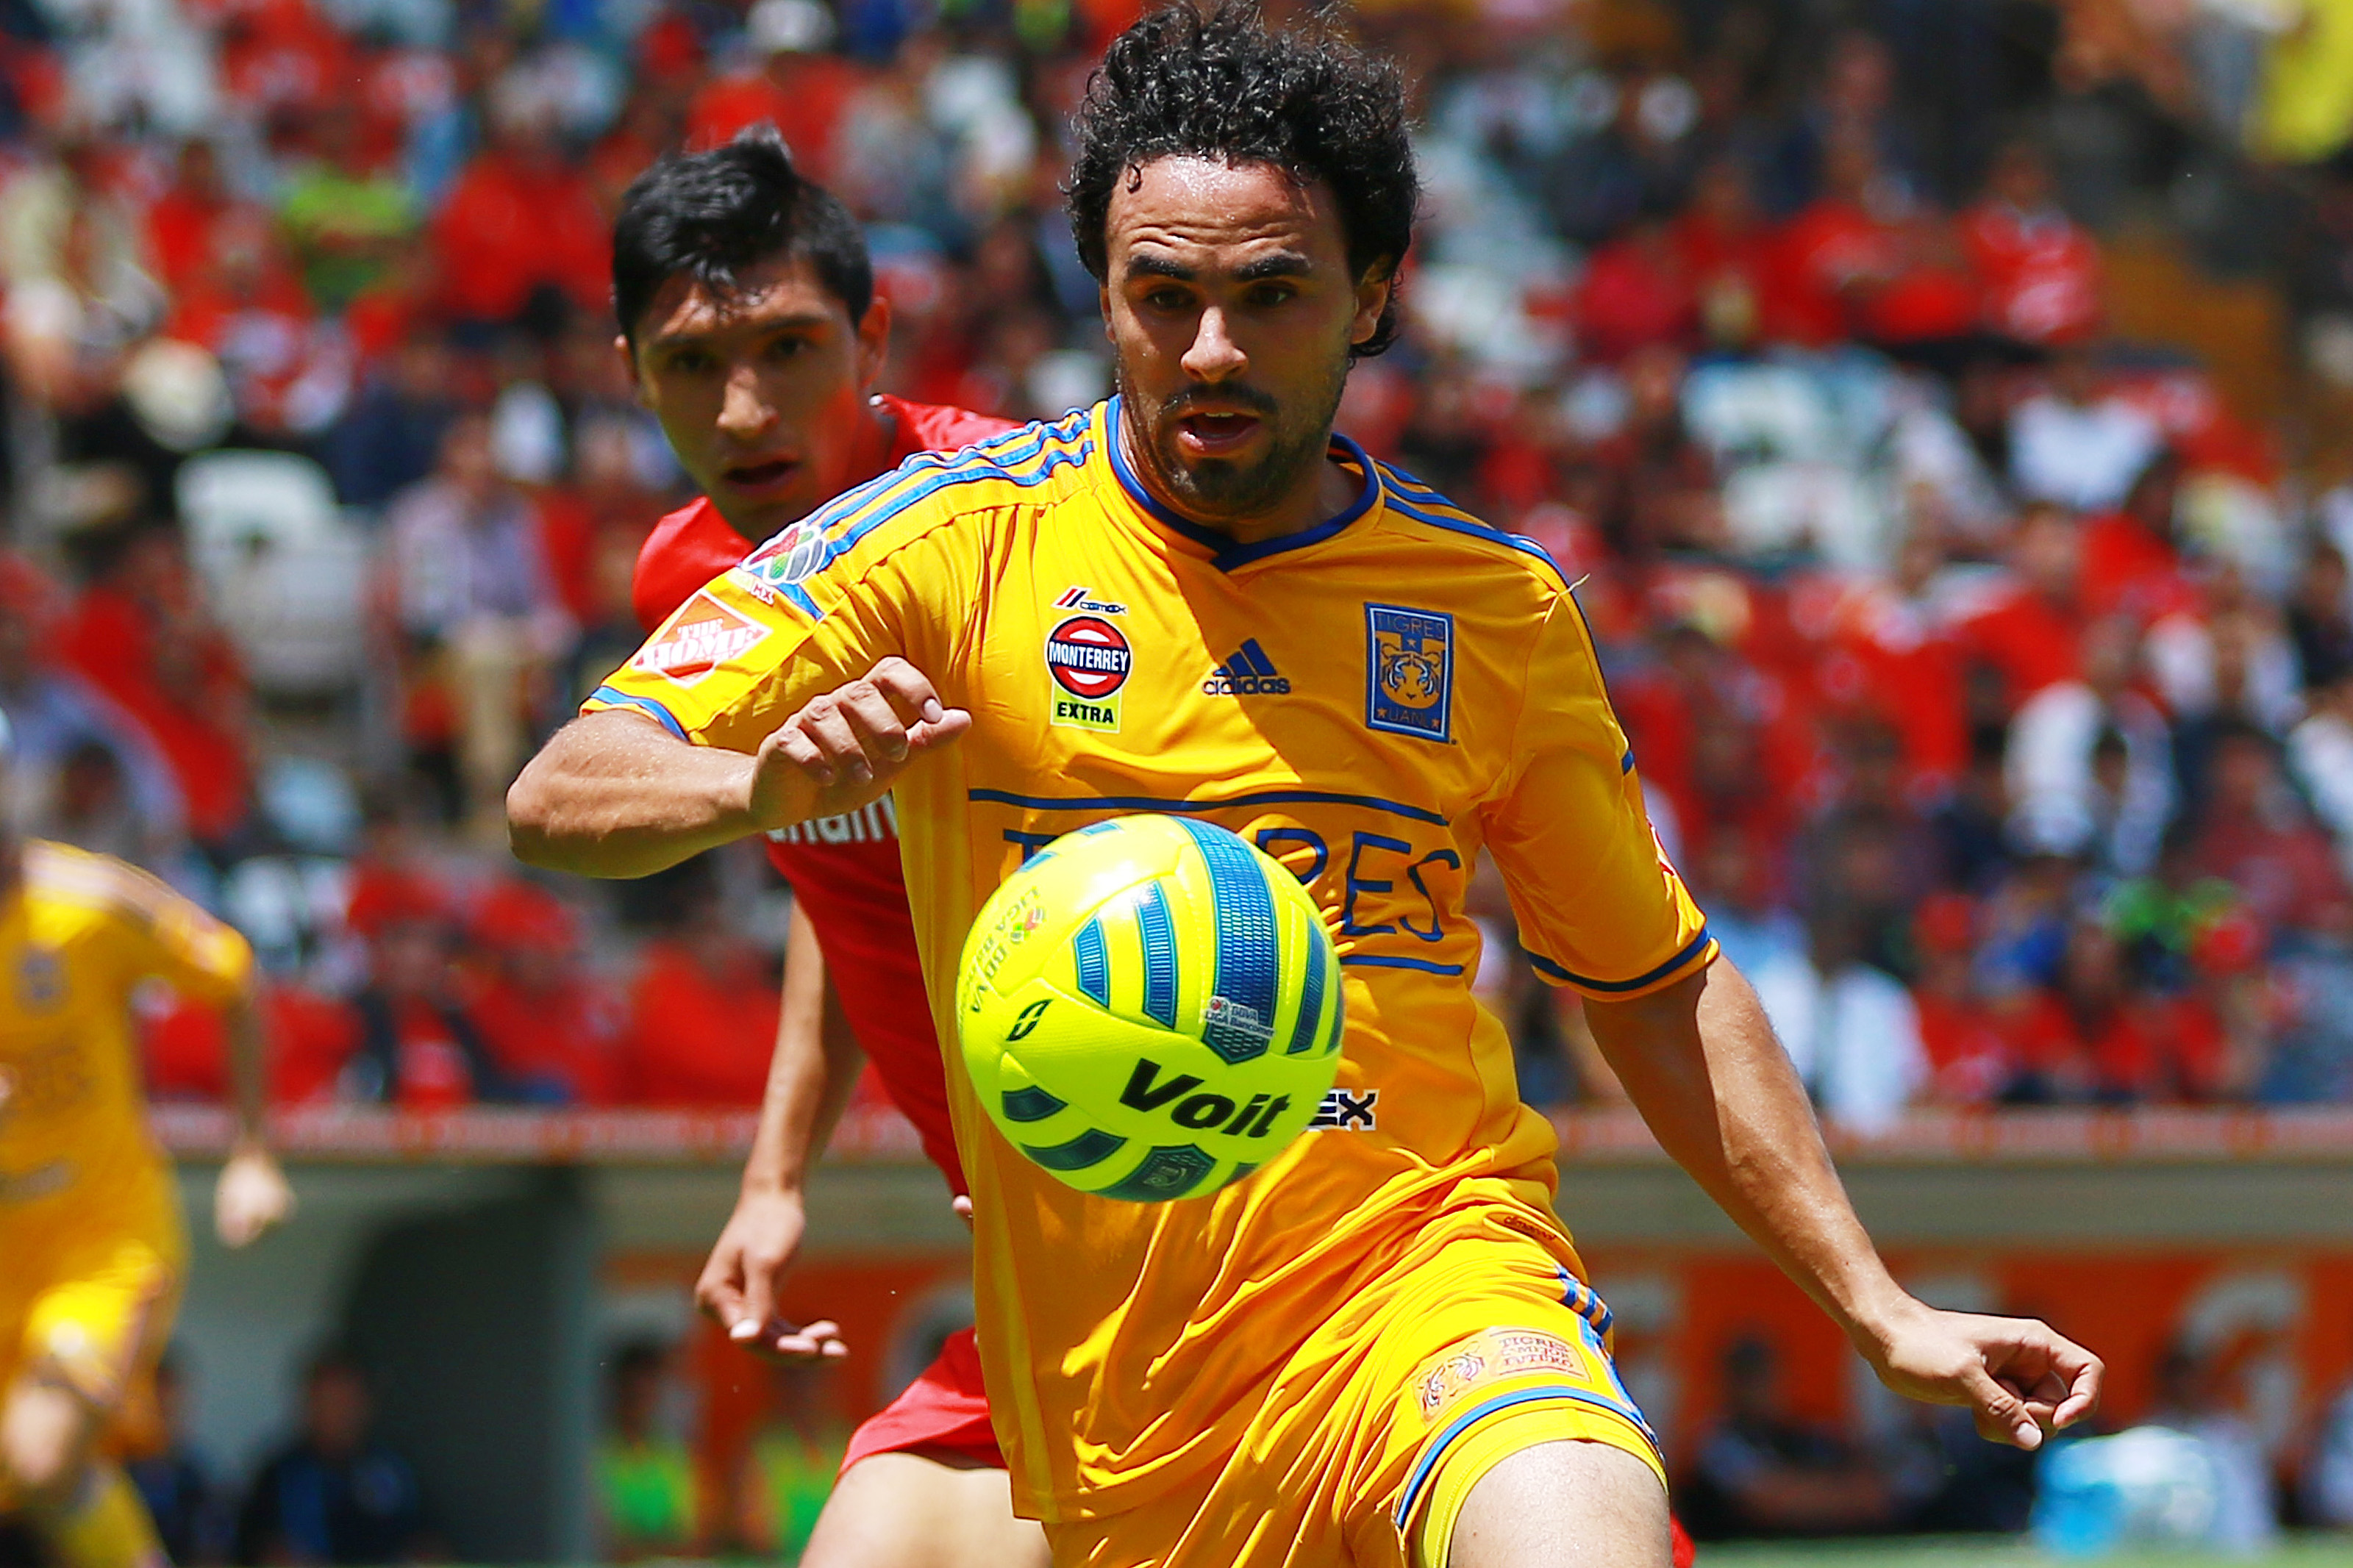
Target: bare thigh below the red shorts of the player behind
x,y
909,1510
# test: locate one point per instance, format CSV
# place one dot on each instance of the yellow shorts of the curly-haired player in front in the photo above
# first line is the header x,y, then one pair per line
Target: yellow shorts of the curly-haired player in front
x,y
1479,1343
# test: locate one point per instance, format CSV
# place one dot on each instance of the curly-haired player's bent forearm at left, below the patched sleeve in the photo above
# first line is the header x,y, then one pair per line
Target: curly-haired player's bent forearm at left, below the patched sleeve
x,y
618,796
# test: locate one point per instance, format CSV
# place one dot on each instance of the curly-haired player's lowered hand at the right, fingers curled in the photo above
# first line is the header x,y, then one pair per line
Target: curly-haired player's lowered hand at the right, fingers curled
x,y
2018,1376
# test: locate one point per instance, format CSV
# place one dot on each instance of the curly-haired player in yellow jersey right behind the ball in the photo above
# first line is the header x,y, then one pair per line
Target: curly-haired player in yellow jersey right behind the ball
x,y
1201,601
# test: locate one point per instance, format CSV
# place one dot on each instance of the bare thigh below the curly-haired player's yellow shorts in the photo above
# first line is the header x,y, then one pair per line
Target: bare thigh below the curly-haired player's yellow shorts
x,y
1580,1503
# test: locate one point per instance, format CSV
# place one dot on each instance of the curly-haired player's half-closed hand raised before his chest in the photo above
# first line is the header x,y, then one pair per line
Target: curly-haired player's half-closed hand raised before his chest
x,y
851,744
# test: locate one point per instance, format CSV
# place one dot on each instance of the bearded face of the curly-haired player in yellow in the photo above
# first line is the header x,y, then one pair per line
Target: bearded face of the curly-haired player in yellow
x,y
1232,311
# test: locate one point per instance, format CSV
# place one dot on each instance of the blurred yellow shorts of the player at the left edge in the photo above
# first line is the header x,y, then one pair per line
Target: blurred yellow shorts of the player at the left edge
x,y
93,1313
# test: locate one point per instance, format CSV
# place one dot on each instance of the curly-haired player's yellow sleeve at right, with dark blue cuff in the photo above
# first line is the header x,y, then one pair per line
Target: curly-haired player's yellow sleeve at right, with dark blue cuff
x,y
1601,909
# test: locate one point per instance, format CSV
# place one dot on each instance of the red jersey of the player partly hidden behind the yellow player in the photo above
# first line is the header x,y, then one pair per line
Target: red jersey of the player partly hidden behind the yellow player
x,y
844,869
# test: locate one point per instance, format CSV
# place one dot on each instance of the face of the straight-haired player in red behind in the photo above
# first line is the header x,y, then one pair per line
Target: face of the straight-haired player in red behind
x,y
764,391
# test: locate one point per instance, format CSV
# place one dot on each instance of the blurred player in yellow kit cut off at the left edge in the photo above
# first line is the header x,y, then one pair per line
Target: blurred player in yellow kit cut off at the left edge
x,y
91,1245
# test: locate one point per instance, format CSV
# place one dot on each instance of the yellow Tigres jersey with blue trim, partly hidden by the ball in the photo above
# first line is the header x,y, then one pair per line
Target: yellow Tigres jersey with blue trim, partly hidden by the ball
x,y
1373,702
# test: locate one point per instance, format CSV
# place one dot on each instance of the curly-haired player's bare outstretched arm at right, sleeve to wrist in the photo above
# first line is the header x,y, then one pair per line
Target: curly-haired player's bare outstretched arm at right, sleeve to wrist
x,y
1721,1097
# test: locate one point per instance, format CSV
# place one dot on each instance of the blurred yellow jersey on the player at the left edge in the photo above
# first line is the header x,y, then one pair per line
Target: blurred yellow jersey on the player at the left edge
x,y
76,937
